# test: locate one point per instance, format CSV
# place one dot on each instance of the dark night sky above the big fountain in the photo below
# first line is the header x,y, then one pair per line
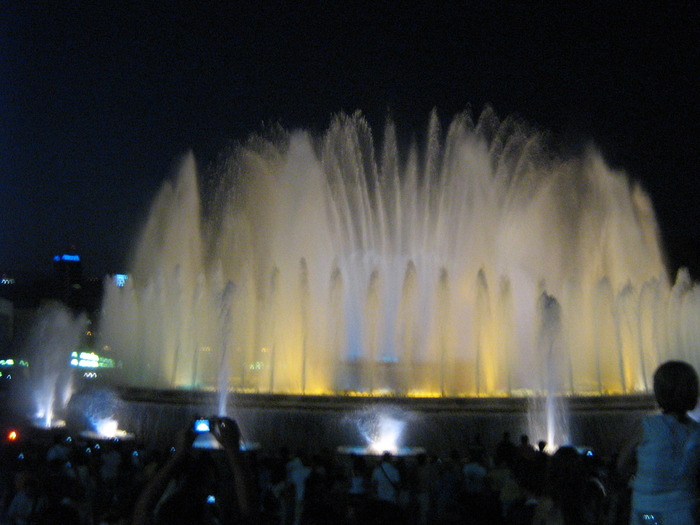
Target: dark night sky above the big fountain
x,y
97,103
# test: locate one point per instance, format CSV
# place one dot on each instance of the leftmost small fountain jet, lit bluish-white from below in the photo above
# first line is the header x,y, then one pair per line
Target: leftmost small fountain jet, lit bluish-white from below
x,y
56,334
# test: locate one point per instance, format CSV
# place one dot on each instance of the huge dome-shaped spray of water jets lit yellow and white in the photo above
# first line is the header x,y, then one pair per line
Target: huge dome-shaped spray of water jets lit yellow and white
x,y
477,264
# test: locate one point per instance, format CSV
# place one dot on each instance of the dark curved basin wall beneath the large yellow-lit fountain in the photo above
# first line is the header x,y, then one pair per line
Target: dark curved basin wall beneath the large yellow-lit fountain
x,y
326,422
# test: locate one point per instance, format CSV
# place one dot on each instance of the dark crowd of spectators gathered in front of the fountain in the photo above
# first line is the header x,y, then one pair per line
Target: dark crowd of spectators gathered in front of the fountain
x,y
68,480
